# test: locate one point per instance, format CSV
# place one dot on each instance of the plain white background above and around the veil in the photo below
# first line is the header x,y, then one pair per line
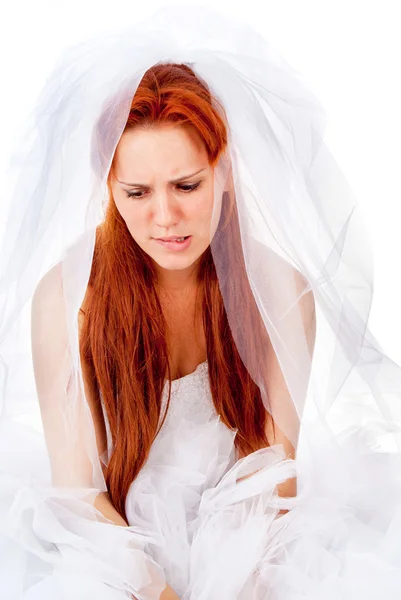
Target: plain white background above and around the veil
x,y
349,50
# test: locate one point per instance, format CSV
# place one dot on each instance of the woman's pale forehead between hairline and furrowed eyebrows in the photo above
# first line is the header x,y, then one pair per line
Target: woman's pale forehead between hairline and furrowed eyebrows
x,y
164,152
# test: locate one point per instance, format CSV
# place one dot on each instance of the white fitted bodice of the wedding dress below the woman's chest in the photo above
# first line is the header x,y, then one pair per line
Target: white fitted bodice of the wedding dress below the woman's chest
x,y
190,453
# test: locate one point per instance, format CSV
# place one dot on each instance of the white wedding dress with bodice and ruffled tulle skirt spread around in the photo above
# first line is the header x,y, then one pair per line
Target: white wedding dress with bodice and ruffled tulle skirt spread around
x,y
210,522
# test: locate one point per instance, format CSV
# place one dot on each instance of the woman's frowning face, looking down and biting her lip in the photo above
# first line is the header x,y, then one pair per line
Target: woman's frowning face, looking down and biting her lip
x,y
163,185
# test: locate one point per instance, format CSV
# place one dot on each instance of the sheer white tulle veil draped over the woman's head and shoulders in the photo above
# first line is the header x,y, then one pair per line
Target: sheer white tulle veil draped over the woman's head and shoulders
x,y
295,275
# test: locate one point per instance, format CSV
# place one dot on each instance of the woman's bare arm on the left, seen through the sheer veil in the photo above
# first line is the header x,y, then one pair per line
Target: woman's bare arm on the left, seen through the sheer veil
x,y
73,463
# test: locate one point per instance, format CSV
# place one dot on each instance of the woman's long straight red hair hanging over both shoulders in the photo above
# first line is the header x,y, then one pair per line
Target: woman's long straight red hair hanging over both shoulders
x,y
123,336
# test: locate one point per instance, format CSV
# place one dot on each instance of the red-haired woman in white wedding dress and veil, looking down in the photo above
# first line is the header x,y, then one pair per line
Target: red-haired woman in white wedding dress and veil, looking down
x,y
174,378
